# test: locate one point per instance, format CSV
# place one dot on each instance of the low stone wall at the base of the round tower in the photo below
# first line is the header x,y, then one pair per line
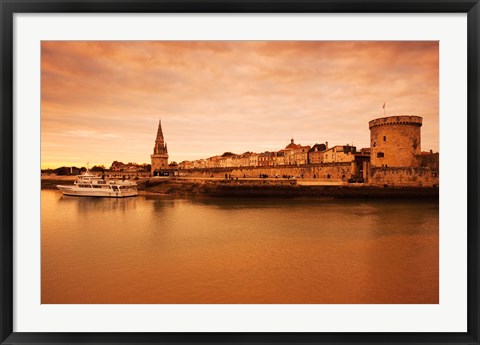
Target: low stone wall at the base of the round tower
x,y
411,176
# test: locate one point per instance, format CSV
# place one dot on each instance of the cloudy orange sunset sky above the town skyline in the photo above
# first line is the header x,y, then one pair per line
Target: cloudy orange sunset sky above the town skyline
x,y
102,100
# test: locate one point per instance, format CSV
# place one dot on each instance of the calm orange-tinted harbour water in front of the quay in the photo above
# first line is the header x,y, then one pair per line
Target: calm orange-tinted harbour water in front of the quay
x,y
152,249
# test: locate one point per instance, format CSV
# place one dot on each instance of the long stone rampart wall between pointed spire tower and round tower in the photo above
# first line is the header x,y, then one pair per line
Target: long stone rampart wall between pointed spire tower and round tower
x,y
336,171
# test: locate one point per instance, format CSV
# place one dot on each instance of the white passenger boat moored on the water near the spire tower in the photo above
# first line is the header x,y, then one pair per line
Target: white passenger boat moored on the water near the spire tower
x,y
88,184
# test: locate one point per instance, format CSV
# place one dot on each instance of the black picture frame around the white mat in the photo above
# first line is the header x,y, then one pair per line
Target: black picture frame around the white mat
x,y
7,10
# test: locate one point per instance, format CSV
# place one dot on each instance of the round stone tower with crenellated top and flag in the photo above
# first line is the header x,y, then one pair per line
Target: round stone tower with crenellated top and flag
x,y
395,141
